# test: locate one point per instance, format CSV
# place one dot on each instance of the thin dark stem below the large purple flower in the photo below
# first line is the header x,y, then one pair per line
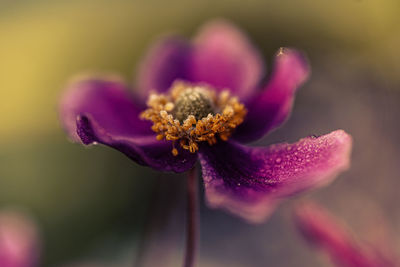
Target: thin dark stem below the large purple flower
x,y
192,219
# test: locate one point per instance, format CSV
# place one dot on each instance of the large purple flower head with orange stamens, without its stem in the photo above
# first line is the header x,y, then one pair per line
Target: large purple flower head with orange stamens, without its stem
x,y
205,99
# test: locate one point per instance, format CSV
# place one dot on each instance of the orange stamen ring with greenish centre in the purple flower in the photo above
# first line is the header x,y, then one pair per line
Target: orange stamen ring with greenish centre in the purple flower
x,y
193,113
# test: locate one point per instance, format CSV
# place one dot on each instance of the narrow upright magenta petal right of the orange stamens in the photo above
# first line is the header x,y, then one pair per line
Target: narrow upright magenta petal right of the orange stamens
x,y
272,106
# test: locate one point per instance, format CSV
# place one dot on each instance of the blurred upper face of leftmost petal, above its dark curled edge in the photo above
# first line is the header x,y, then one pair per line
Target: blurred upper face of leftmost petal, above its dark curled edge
x,y
107,101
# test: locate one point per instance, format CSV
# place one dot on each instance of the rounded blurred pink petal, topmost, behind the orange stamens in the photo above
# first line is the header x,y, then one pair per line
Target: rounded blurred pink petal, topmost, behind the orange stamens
x,y
224,57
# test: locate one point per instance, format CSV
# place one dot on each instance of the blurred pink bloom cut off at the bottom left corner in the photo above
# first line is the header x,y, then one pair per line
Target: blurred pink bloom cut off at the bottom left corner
x,y
19,240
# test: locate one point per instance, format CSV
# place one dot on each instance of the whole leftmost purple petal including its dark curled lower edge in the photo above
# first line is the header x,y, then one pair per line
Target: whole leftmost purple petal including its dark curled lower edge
x,y
102,111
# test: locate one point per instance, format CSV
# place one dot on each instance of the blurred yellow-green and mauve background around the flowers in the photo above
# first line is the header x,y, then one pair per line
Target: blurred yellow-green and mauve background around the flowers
x,y
95,207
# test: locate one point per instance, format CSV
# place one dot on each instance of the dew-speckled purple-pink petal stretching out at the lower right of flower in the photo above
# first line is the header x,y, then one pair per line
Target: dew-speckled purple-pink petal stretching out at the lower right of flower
x,y
250,181
